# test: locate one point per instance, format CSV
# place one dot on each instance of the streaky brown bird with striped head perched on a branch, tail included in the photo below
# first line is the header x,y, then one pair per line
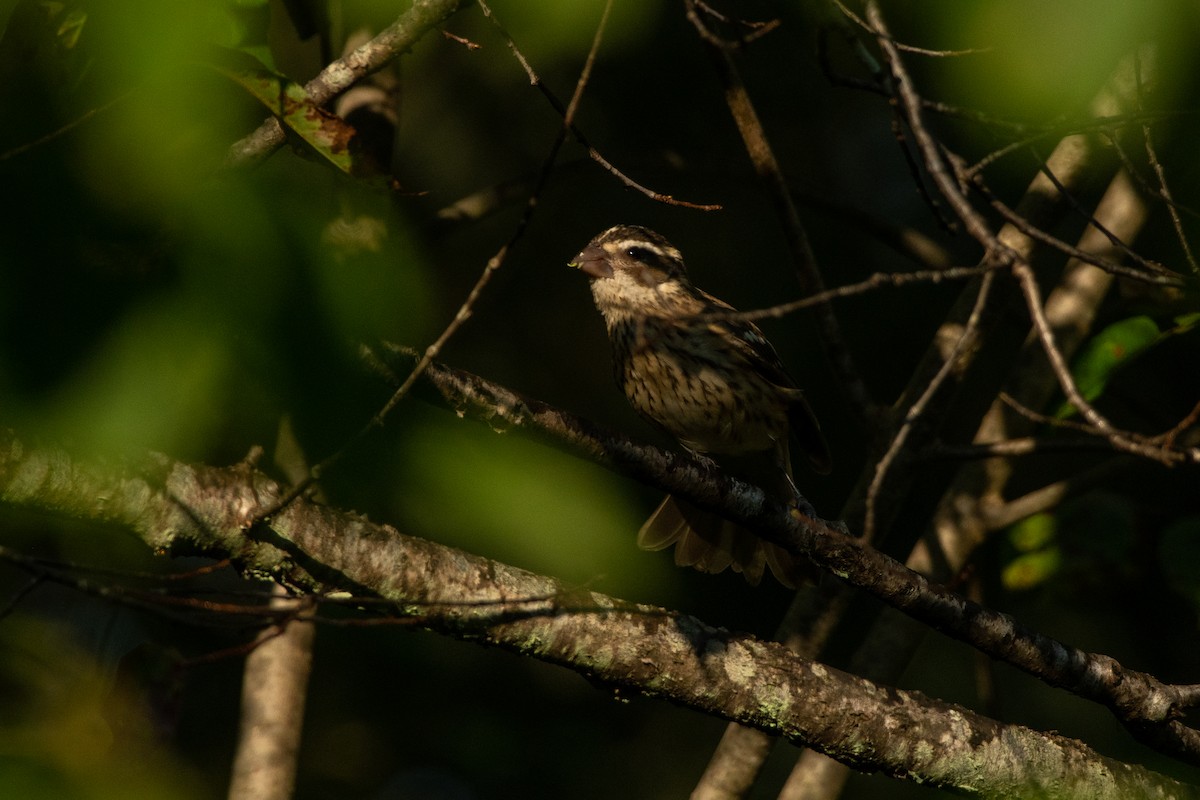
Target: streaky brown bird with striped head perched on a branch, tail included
x,y
717,386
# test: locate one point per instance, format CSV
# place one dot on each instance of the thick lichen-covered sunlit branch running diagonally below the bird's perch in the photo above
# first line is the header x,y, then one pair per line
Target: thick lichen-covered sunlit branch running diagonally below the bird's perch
x,y
178,508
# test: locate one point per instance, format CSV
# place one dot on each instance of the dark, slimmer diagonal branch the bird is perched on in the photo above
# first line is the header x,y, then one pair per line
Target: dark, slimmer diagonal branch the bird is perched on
x,y
1143,703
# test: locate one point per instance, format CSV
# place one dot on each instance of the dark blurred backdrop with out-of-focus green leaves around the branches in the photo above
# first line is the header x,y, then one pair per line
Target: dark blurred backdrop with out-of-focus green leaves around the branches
x,y
153,299
